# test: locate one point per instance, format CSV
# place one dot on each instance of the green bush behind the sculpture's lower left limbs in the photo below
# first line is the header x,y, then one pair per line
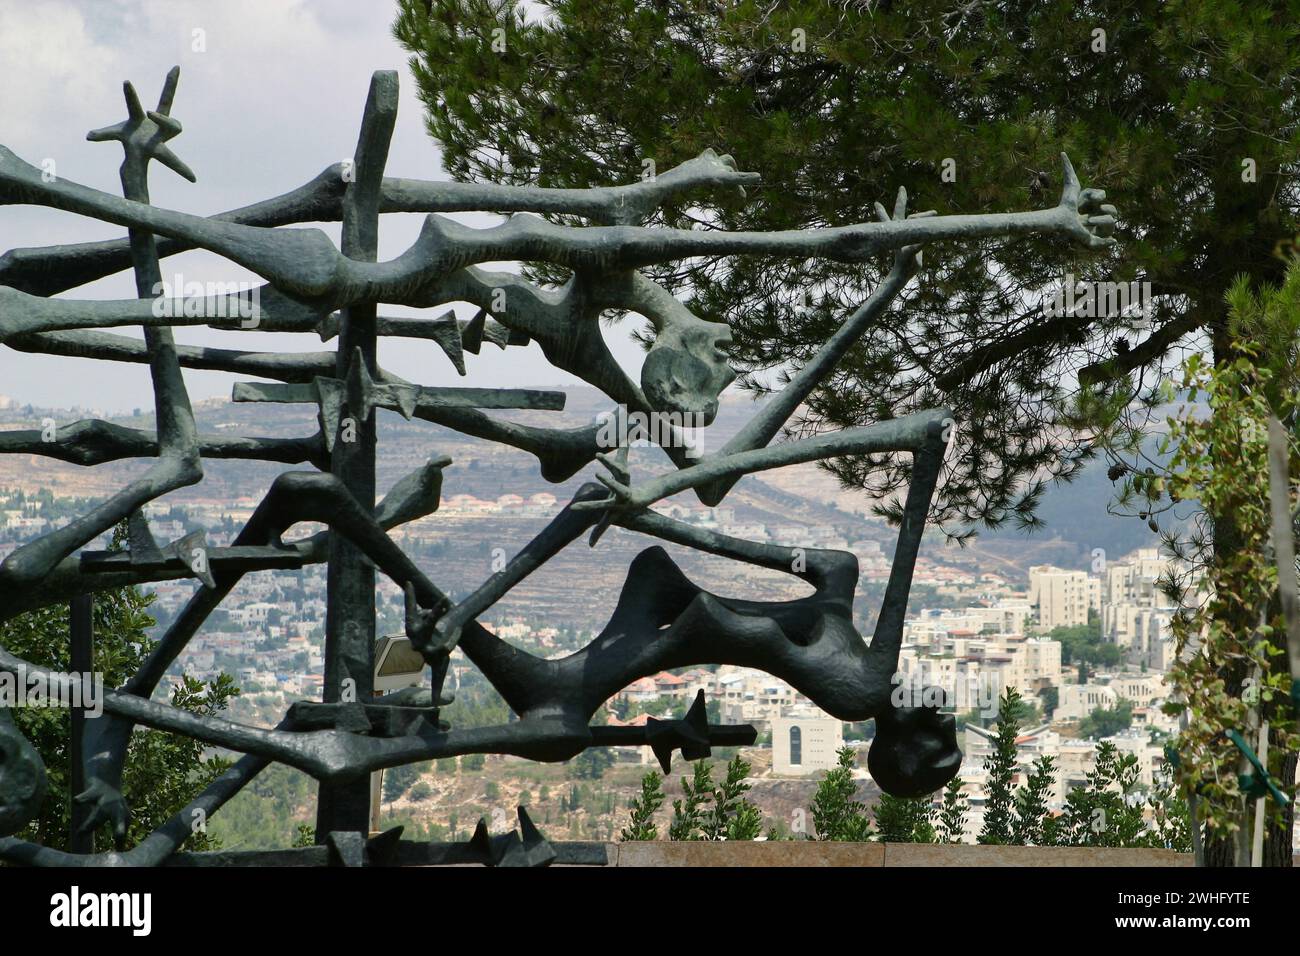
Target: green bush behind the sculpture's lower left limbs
x,y
163,772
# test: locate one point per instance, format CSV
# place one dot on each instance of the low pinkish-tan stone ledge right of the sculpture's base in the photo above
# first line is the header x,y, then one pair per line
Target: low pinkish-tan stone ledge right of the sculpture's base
x,y
817,854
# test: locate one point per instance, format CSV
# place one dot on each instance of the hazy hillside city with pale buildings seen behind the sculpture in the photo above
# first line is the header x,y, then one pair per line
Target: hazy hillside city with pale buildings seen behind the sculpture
x,y
1086,641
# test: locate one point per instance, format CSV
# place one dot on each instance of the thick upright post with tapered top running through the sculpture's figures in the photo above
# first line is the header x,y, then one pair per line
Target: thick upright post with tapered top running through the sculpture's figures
x,y
350,616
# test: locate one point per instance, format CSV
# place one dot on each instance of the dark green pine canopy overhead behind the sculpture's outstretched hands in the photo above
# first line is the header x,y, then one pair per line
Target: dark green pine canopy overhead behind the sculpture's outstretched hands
x,y
1162,120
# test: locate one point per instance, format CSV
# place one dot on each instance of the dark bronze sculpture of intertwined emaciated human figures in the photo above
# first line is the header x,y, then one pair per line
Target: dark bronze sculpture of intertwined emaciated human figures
x,y
661,621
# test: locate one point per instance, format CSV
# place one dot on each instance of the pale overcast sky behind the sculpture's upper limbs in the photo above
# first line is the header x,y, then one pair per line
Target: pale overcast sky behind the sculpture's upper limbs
x,y
274,100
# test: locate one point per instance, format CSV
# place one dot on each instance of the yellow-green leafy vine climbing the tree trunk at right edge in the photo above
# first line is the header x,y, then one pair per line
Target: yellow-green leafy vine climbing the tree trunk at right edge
x,y
1230,634
